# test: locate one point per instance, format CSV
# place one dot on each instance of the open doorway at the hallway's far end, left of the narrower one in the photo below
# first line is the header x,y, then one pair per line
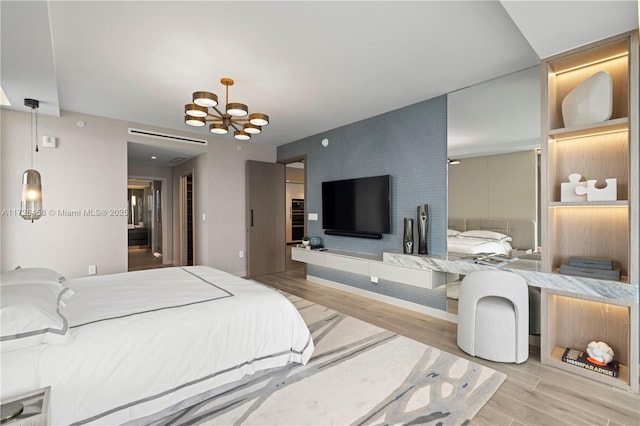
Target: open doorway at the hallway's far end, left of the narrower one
x,y
144,233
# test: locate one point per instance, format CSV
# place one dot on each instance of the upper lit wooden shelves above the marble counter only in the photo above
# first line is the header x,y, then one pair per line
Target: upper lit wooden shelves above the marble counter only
x,y
600,150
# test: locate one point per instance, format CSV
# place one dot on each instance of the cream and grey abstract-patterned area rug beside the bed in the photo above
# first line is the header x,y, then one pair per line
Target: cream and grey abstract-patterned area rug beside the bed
x,y
359,374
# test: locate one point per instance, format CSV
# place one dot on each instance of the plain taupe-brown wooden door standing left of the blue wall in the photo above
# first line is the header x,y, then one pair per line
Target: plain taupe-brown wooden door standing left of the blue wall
x,y
265,218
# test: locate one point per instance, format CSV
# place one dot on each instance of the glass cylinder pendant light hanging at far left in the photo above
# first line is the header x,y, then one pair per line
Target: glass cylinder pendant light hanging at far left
x,y
31,204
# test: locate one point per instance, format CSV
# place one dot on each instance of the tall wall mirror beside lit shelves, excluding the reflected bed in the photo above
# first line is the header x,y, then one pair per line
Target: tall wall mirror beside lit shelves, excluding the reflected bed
x,y
493,149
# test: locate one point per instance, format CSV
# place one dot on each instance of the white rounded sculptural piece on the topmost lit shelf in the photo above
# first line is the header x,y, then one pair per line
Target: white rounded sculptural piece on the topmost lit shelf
x,y
589,102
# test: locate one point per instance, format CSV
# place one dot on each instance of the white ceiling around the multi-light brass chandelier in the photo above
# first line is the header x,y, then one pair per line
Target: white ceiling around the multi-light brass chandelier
x,y
312,66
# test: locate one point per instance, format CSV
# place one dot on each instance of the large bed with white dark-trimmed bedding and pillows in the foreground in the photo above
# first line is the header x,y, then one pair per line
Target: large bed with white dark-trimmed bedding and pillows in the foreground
x,y
125,347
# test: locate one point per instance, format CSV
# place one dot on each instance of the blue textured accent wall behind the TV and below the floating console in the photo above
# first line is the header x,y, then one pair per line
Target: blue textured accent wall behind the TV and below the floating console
x,y
410,144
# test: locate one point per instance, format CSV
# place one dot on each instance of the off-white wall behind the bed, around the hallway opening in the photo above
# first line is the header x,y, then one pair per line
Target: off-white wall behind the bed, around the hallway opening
x,y
88,170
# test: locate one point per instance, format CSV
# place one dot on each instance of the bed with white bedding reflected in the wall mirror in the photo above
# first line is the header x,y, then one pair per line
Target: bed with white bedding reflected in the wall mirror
x,y
505,236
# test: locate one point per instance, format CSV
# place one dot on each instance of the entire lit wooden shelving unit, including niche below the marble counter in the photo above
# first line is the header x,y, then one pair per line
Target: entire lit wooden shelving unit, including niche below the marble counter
x,y
603,229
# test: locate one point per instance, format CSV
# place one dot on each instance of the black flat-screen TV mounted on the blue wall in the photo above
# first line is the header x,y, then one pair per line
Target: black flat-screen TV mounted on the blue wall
x,y
357,207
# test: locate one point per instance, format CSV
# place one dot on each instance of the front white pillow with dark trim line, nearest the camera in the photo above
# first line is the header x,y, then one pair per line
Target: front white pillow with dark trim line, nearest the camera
x,y
30,315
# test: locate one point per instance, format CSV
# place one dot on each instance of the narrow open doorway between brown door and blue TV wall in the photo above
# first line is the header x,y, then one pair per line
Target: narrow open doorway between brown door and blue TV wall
x,y
296,210
